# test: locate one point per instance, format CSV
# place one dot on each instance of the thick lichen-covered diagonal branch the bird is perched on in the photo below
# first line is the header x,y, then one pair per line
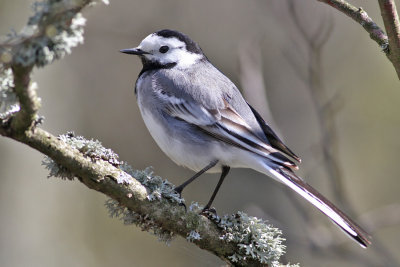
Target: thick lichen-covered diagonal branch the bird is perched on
x,y
236,239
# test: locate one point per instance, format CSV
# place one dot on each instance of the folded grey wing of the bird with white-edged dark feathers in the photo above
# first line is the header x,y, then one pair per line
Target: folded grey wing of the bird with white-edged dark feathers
x,y
223,123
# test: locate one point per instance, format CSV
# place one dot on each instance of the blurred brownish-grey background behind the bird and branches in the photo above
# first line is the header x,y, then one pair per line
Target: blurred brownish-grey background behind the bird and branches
x,y
332,95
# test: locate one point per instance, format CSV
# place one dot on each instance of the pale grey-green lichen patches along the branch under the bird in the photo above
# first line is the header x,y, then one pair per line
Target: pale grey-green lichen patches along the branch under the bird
x,y
255,239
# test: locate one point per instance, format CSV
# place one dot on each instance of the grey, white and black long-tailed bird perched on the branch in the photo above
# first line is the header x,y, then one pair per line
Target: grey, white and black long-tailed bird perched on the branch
x,y
200,120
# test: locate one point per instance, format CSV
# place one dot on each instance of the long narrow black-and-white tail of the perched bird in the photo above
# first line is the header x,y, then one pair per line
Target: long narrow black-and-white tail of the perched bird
x,y
324,205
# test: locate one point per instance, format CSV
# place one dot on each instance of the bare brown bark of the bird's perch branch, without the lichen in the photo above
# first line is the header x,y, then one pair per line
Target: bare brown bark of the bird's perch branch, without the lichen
x,y
119,185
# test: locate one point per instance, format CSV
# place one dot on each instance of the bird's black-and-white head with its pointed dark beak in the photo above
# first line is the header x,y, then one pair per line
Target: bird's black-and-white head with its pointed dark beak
x,y
167,48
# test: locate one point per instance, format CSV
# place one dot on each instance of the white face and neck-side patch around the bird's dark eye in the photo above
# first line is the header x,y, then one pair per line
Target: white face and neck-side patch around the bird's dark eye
x,y
177,52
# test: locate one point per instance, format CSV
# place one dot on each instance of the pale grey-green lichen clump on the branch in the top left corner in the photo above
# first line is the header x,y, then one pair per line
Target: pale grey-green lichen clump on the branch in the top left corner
x,y
51,32
